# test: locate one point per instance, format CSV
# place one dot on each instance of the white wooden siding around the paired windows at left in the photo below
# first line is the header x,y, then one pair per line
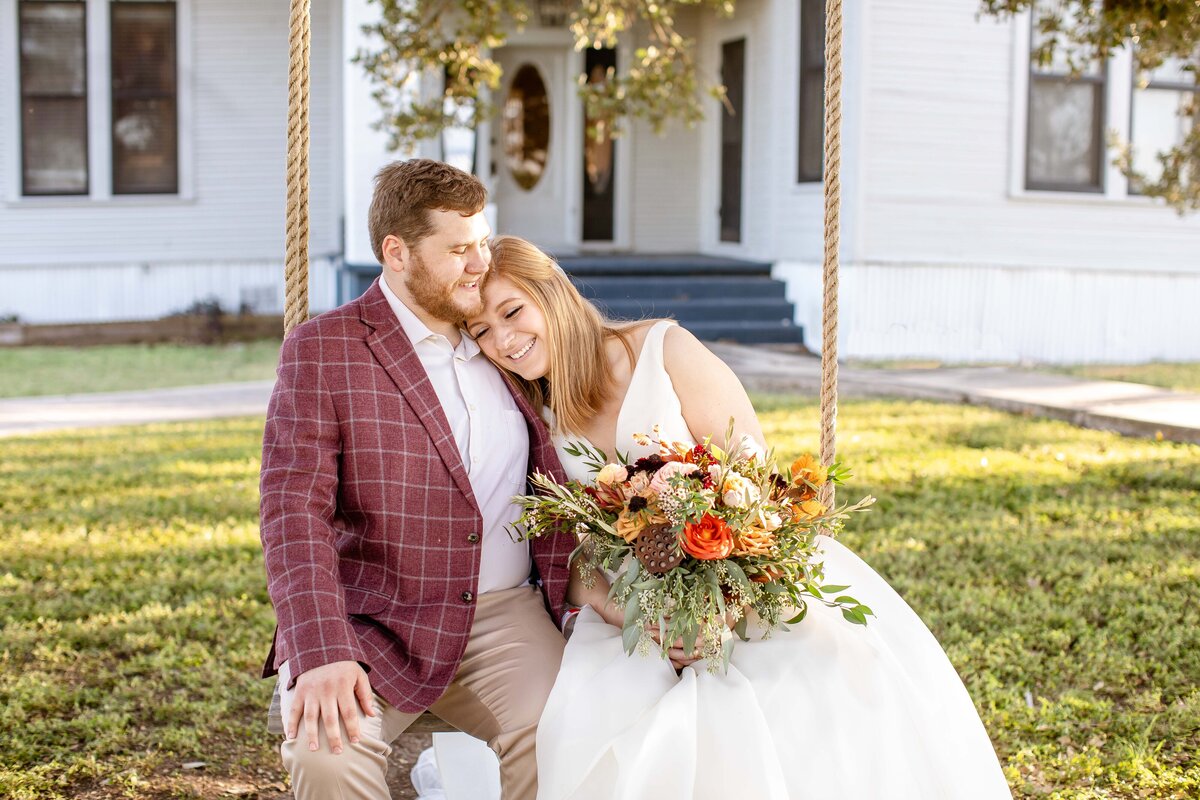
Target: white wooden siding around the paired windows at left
x,y
236,215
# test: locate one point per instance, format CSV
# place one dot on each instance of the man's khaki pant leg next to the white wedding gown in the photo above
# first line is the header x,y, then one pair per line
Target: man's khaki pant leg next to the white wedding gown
x,y
503,682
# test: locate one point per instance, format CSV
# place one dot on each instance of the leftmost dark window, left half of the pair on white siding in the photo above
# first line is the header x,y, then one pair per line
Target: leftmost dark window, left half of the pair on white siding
x,y
53,98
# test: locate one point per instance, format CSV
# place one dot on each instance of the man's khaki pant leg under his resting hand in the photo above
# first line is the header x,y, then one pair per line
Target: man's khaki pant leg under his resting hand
x,y
359,772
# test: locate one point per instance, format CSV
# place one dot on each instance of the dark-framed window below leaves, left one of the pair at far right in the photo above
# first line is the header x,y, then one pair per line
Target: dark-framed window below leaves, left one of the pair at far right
x,y
1065,143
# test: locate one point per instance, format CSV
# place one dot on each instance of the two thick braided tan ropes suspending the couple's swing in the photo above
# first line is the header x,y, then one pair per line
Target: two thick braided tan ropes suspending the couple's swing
x,y
297,246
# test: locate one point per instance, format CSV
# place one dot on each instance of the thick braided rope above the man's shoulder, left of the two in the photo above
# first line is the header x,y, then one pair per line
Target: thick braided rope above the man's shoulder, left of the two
x,y
296,262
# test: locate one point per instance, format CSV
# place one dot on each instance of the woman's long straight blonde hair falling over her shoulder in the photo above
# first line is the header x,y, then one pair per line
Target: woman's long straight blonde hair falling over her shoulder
x,y
580,380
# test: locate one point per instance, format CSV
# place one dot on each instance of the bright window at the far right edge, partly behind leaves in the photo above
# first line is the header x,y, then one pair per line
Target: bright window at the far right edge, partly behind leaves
x,y
1162,113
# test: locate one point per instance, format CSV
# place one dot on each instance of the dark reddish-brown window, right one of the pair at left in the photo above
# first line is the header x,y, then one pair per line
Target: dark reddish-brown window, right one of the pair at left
x,y
145,111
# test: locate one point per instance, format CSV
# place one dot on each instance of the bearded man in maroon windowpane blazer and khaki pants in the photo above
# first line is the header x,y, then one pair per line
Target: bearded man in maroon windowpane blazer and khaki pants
x,y
392,452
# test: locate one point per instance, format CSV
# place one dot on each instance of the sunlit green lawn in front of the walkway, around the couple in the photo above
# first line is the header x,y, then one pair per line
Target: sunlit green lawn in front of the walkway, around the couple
x,y
1060,569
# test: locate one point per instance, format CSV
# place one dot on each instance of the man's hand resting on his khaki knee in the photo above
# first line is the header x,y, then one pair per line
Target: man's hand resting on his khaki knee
x,y
326,694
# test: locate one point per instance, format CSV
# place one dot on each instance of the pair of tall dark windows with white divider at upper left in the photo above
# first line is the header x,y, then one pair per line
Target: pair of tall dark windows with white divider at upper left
x,y
124,140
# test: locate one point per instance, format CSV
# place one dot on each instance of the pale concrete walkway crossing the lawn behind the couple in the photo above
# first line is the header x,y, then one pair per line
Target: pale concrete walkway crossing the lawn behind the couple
x,y
1132,410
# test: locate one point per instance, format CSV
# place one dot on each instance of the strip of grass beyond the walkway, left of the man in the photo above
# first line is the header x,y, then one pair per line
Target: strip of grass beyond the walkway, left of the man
x,y
40,371
